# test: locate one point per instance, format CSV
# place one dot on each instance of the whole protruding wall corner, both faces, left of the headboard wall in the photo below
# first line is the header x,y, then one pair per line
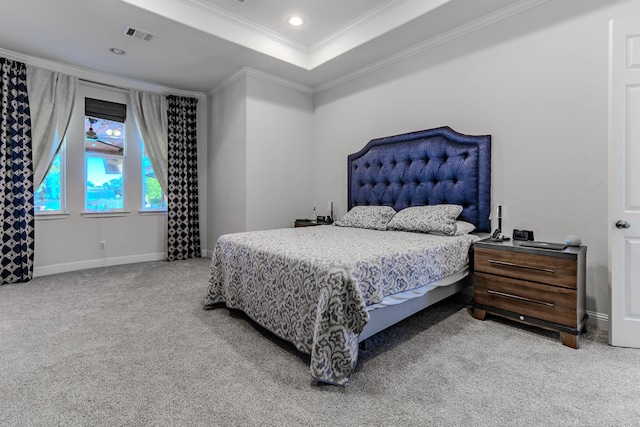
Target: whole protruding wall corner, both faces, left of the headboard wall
x,y
260,154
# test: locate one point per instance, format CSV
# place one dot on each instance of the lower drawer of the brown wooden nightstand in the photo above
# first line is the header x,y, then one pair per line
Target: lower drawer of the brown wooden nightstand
x,y
550,303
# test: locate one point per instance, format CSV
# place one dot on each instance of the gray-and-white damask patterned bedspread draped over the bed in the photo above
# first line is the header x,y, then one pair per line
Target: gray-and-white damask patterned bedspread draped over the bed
x,y
311,285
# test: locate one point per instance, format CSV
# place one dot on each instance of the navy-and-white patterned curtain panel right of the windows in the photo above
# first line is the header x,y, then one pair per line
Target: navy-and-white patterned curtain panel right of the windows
x,y
184,227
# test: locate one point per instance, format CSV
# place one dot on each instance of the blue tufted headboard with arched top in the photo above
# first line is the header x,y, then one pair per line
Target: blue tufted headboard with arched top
x,y
428,167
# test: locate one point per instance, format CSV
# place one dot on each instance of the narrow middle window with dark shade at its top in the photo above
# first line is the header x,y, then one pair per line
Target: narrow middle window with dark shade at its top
x,y
104,148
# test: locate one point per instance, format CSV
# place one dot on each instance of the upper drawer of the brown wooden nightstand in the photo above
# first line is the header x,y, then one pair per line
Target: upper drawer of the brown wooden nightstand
x,y
536,268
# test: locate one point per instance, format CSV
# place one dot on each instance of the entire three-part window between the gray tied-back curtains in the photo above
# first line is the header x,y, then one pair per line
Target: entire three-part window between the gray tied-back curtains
x,y
98,160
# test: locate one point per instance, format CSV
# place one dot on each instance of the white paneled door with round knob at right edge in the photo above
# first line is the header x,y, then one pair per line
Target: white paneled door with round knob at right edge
x,y
624,182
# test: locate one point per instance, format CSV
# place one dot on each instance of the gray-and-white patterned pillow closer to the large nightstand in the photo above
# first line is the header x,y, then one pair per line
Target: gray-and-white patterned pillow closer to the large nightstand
x,y
440,218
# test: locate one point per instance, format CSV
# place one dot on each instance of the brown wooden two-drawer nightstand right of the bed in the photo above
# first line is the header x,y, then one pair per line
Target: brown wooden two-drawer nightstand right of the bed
x,y
540,287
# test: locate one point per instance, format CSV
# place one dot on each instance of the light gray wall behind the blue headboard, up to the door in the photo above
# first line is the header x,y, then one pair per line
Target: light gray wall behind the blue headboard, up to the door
x,y
537,83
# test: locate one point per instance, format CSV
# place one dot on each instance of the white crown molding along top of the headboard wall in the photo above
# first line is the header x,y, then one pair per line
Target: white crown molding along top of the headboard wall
x,y
468,28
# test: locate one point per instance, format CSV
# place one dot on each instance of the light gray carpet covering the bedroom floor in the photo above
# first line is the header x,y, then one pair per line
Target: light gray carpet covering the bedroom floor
x,y
131,345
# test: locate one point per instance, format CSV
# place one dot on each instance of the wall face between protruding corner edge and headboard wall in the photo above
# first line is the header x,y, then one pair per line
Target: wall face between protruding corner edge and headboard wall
x,y
279,124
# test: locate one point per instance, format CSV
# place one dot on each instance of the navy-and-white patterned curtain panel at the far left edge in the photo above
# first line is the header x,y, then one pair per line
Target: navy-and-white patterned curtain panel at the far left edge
x,y
16,175
